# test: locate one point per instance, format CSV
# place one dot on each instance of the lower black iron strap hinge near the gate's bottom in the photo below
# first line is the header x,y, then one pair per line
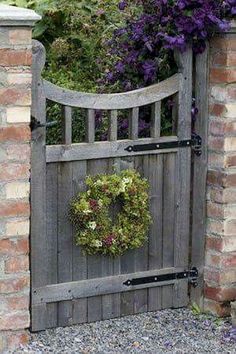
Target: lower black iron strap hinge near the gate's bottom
x,y
191,275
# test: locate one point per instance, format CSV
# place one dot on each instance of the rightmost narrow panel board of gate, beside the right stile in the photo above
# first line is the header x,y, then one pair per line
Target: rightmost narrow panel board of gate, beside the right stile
x,y
168,223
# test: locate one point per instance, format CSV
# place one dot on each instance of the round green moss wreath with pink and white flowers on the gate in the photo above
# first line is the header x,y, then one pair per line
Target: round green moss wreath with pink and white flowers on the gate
x,y
90,213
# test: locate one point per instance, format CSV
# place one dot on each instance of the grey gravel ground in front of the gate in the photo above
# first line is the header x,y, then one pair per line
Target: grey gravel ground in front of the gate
x,y
168,331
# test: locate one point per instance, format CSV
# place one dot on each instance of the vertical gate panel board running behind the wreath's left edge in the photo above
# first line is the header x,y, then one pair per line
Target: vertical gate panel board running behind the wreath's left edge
x,y
79,171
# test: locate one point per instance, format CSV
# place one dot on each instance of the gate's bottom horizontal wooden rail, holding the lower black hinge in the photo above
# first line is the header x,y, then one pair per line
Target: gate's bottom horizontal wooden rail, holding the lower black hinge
x,y
99,286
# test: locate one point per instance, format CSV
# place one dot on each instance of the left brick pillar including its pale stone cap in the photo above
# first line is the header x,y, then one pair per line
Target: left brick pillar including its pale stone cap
x,y
15,101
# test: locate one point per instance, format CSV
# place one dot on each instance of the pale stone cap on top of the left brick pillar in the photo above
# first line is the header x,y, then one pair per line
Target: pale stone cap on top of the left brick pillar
x,y
16,16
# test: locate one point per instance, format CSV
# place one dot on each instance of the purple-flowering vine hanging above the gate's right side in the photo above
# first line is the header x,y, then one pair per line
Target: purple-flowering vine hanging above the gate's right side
x,y
144,47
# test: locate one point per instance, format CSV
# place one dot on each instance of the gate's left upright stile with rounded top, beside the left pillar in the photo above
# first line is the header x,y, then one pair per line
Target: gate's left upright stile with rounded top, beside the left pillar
x,y
39,258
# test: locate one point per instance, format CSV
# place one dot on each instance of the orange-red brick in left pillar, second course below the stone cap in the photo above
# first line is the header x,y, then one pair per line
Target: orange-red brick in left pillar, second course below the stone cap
x,y
13,57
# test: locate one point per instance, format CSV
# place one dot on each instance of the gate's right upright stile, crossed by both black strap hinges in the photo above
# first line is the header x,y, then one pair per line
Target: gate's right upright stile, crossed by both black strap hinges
x,y
182,241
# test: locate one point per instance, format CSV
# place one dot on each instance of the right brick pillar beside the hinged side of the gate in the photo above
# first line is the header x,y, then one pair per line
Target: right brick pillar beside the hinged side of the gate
x,y
220,271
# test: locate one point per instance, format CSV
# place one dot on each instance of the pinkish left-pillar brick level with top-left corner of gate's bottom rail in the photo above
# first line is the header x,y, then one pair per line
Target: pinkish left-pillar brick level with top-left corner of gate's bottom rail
x,y
14,285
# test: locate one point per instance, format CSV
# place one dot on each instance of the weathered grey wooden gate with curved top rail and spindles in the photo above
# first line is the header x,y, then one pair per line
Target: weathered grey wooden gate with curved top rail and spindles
x,y
69,287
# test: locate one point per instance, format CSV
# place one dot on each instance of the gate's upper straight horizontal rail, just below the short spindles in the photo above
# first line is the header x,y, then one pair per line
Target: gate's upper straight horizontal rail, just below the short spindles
x,y
101,150
